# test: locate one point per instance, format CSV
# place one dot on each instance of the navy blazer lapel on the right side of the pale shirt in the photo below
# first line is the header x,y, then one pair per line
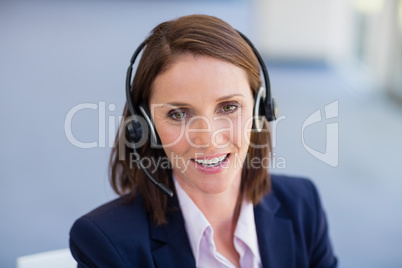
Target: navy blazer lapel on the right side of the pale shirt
x,y
275,235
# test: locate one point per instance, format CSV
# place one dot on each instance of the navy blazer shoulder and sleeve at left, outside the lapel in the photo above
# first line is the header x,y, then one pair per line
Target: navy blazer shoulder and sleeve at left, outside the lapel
x,y
102,236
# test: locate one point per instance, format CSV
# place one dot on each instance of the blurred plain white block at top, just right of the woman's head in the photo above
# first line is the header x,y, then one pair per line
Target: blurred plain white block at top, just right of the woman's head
x,y
309,30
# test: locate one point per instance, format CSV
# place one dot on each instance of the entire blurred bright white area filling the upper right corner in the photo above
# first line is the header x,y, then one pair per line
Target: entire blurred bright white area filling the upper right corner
x,y
359,36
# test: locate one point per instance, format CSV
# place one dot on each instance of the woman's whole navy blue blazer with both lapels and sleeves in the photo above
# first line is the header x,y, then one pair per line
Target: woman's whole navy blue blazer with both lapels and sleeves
x,y
291,228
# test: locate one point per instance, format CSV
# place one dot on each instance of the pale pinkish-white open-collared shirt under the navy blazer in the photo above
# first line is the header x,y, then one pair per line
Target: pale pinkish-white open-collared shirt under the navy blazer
x,y
200,234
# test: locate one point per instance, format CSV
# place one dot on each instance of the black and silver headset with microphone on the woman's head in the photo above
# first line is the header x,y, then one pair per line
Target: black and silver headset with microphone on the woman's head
x,y
264,105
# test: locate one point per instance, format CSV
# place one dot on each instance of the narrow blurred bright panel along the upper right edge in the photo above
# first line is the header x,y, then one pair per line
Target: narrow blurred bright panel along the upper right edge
x,y
379,47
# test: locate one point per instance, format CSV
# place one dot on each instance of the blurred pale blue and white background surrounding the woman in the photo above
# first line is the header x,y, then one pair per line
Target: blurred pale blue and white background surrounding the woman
x,y
336,72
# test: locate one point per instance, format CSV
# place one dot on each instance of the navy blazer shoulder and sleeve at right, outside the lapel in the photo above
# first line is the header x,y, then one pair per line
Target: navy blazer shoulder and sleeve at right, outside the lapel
x,y
297,200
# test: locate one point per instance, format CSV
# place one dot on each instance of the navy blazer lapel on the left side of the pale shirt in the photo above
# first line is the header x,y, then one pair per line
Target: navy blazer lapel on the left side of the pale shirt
x,y
170,244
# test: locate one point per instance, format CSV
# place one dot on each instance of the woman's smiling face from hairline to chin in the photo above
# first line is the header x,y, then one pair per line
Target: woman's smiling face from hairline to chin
x,y
202,108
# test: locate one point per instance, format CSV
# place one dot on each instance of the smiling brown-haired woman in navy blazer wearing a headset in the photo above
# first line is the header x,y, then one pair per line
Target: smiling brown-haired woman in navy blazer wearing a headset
x,y
197,82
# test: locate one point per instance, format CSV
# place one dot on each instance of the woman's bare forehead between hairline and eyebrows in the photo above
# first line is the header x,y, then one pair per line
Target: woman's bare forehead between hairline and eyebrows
x,y
192,79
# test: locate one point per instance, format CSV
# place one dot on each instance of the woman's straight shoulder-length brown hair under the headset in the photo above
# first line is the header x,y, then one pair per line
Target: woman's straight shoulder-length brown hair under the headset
x,y
196,35
